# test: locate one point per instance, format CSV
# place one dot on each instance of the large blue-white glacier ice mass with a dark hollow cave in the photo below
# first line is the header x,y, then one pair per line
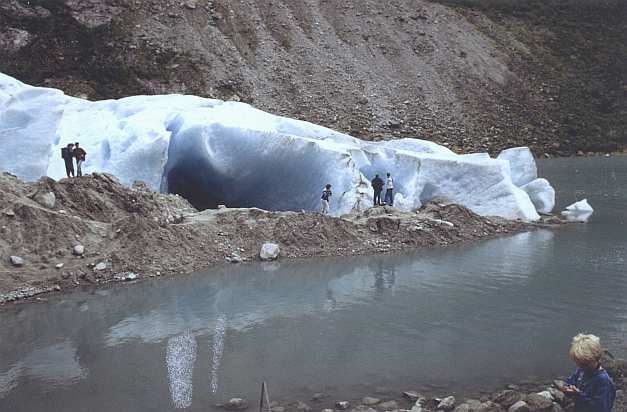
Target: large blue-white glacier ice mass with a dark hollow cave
x,y
214,152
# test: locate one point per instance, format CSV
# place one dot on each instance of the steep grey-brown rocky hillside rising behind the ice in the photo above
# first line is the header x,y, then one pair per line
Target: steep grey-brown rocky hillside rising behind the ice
x,y
470,74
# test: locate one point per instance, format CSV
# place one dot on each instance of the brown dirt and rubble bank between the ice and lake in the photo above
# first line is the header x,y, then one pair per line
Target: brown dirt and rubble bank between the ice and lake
x,y
55,236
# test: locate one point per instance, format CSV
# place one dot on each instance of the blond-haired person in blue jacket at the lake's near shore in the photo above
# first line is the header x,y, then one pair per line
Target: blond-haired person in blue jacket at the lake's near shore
x,y
590,385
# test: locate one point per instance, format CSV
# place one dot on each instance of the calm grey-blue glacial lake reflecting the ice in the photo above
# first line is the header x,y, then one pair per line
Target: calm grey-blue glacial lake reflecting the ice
x,y
457,320
